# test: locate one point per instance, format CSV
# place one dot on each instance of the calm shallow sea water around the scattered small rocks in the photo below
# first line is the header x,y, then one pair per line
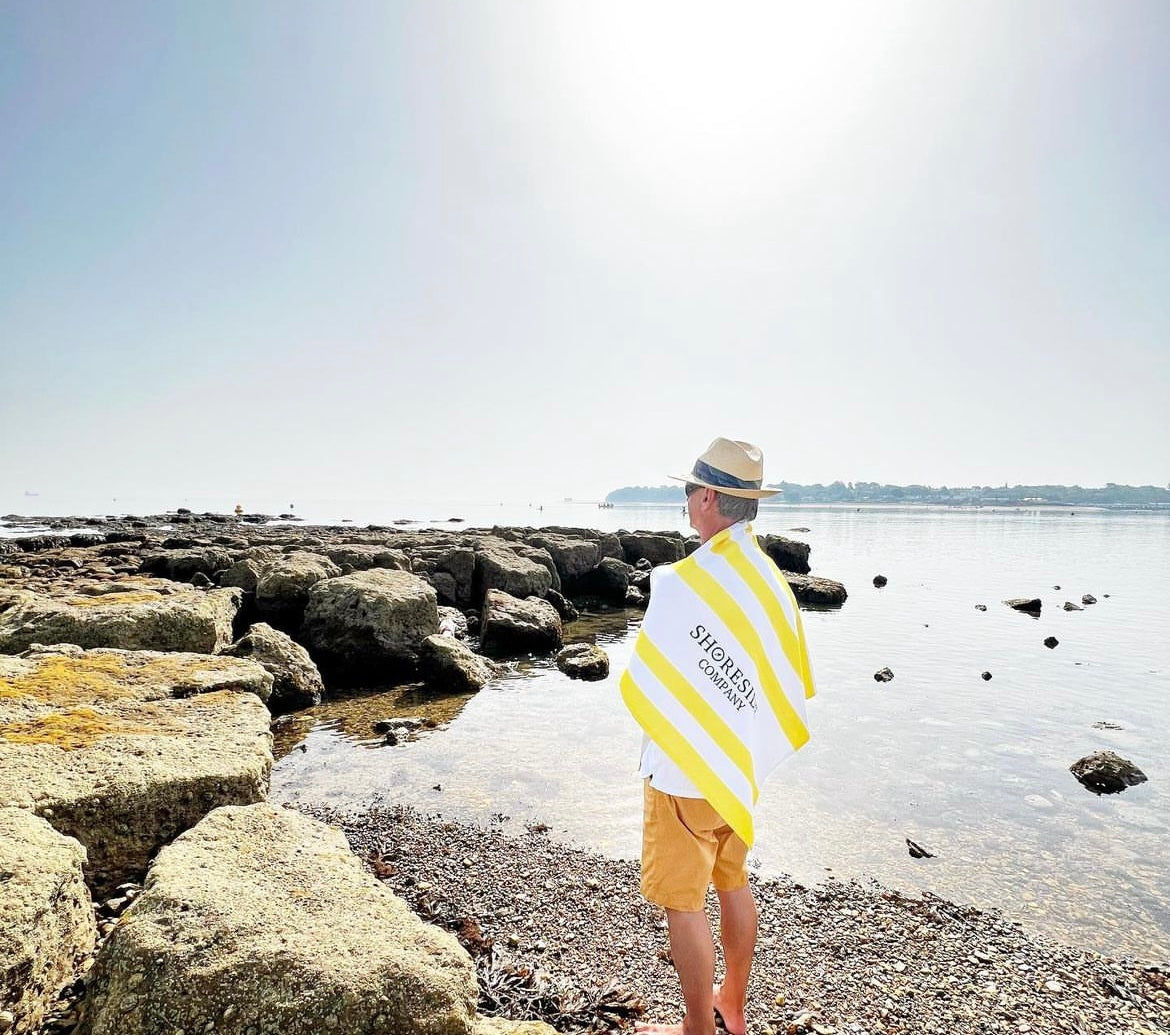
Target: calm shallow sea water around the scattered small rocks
x,y
976,771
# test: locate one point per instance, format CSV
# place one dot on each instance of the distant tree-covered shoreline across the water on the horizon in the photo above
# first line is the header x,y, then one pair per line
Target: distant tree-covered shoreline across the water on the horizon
x,y
1111,495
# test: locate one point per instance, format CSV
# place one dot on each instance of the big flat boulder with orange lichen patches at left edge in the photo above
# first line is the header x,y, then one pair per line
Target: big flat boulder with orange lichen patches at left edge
x,y
125,750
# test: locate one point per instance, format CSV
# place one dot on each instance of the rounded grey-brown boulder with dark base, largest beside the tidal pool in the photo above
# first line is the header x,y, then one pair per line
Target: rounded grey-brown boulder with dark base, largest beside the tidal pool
x,y
369,625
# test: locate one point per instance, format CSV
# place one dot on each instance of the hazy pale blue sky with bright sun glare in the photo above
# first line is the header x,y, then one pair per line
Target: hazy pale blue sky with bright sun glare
x,y
514,251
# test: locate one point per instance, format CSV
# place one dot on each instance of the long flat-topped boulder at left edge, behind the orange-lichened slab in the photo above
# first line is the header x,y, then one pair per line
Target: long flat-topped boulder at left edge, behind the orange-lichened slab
x,y
132,619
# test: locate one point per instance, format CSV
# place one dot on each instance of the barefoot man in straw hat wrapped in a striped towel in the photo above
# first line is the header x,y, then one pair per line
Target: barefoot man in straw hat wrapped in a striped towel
x,y
718,682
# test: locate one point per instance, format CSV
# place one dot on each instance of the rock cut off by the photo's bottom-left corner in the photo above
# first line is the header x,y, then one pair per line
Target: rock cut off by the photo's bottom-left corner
x,y
46,917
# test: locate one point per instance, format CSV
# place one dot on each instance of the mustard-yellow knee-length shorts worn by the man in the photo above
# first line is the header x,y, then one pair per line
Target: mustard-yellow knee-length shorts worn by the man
x,y
687,846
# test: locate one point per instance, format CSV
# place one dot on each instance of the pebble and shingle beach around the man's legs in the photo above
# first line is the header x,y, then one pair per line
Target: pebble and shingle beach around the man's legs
x,y
837,958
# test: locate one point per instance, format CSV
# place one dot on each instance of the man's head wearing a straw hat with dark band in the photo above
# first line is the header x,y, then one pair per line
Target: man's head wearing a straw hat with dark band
x,y
725,487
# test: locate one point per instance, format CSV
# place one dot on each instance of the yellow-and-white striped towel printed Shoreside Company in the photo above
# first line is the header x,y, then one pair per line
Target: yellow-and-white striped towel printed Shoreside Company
x,y
720,672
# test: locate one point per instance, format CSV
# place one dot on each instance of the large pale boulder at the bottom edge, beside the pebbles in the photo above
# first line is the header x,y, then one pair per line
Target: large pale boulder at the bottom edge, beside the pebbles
x,y
263,921
